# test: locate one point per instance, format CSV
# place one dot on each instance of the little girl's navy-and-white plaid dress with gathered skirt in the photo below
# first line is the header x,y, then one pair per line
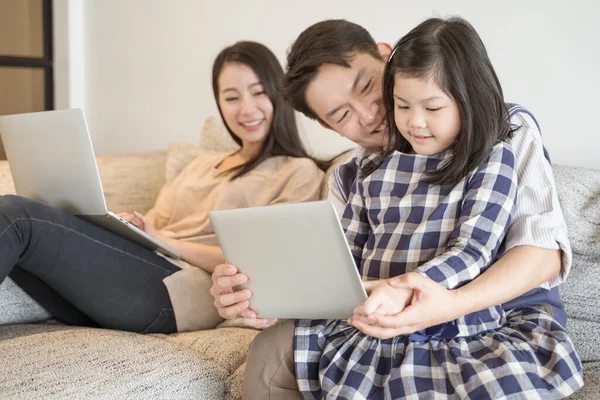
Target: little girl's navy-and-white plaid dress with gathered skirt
x,y
396,223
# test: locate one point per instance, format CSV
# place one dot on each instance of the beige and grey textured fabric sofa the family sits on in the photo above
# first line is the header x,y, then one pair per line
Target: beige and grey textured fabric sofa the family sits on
x,y
43,359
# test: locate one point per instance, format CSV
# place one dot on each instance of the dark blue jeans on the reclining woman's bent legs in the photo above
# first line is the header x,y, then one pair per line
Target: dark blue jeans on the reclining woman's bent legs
x,y
81,273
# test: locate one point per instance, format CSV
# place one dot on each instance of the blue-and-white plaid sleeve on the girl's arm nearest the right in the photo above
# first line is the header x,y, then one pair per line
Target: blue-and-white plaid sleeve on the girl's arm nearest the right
x,y
489,199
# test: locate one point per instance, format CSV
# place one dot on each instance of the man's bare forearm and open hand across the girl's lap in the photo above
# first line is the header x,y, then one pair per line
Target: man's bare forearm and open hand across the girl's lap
x,y
521,269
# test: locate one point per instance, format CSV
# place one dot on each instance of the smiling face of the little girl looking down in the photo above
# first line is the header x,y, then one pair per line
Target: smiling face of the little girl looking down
x,y
425,115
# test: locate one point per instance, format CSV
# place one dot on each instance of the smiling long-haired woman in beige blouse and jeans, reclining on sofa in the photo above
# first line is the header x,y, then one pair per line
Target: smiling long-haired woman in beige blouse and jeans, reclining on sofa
x,y
94,277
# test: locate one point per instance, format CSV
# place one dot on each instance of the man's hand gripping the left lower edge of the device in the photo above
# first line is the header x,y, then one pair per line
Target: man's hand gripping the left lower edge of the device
x,y
232,302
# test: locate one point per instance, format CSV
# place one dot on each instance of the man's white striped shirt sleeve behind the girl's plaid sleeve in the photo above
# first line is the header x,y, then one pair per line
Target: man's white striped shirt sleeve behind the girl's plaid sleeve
x,y
537,219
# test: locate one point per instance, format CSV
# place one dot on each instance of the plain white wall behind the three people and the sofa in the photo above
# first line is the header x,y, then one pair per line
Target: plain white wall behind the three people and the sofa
x,y
147,63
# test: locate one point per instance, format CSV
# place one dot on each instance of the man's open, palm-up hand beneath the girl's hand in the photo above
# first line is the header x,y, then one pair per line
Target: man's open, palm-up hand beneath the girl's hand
x,y
431,304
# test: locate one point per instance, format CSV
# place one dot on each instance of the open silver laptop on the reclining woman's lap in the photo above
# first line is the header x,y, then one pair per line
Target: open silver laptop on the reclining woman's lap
x,y
52,160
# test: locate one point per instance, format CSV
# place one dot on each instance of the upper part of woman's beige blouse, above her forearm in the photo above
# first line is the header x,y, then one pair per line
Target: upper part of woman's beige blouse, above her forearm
x,y
181,210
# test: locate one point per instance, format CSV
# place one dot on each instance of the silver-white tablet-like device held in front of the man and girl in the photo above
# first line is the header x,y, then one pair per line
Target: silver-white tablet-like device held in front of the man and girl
x,y
296,257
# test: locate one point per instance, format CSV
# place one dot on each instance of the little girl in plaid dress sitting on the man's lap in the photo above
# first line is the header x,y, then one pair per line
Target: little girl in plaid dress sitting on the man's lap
x,y
438,206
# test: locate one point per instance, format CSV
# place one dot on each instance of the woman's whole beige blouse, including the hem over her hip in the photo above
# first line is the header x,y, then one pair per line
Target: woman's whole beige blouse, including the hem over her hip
x,y
181,212
